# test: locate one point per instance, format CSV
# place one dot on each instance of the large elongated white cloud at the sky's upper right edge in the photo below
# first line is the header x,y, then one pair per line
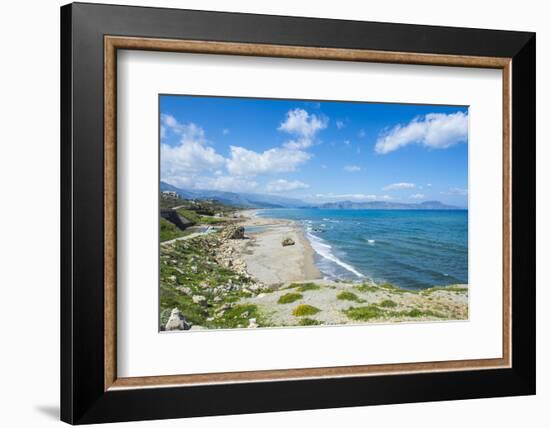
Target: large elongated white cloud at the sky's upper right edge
x,y
434,130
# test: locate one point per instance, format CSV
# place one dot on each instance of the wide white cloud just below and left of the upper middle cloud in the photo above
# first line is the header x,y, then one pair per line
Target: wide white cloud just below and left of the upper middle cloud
x,y
248,162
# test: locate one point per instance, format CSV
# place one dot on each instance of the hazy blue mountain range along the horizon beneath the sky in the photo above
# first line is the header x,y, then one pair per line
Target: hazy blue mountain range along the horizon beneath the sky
x,y
253,200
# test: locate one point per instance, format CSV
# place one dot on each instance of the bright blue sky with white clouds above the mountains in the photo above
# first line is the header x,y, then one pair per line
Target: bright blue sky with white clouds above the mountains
x,y
316,150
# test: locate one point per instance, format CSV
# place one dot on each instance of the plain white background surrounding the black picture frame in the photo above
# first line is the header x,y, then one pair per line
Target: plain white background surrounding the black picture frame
x,y
29,177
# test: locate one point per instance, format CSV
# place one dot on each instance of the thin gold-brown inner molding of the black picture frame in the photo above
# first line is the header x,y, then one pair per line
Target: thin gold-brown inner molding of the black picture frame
x,y
113,43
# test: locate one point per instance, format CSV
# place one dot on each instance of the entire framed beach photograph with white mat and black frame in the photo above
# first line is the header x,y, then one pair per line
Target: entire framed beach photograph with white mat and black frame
x,y
266,213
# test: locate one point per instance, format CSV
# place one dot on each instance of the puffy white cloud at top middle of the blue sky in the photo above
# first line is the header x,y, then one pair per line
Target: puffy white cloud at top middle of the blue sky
x,y
304,126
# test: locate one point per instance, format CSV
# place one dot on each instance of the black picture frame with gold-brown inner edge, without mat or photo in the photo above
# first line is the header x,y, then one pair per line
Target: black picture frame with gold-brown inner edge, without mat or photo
x,y
92,391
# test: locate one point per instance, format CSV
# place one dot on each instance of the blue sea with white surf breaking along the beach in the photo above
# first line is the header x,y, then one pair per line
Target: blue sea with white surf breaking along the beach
x,y
409,248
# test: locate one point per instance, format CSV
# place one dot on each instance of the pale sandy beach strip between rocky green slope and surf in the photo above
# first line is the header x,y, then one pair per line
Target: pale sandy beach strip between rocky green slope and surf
x,y
268,260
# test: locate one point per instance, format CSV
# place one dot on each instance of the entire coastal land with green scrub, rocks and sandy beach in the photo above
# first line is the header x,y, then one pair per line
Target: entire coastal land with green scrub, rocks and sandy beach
x,y
260,272
